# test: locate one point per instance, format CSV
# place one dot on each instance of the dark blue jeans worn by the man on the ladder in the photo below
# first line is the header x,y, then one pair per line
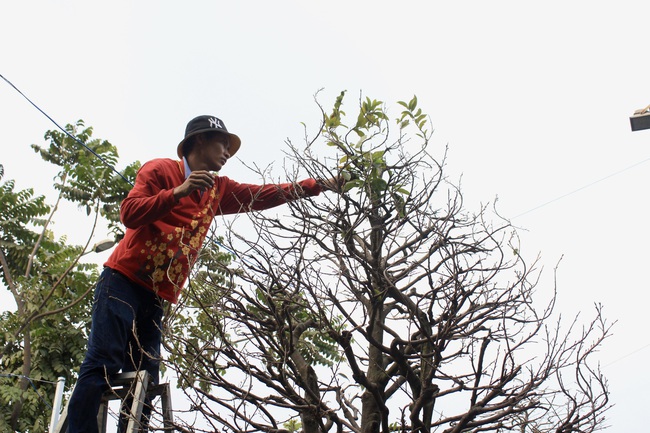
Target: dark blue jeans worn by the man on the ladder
x,y
125,335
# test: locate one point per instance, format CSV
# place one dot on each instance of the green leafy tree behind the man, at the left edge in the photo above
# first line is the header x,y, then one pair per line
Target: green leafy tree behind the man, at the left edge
x,y
45,337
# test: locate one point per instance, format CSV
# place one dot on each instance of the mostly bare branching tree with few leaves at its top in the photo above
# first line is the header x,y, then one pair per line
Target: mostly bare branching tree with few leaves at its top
x,y
387,308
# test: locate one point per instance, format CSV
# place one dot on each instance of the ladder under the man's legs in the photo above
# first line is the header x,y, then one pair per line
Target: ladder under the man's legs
x,y
132,385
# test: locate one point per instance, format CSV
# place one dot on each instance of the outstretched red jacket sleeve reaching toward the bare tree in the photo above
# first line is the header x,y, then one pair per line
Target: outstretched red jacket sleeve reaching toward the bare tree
x,y
241,197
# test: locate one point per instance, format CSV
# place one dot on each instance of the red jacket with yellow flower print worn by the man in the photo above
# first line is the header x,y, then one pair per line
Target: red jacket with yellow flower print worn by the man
x,y
163,237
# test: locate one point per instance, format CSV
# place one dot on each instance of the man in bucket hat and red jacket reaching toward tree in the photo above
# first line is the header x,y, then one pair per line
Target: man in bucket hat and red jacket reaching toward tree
x,y
167,215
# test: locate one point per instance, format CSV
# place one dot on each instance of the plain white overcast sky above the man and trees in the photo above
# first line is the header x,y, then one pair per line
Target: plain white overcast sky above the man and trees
x,y
533,100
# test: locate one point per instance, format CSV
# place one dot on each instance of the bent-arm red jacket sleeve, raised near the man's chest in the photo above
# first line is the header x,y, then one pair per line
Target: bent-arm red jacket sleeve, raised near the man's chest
x,y
151,198
